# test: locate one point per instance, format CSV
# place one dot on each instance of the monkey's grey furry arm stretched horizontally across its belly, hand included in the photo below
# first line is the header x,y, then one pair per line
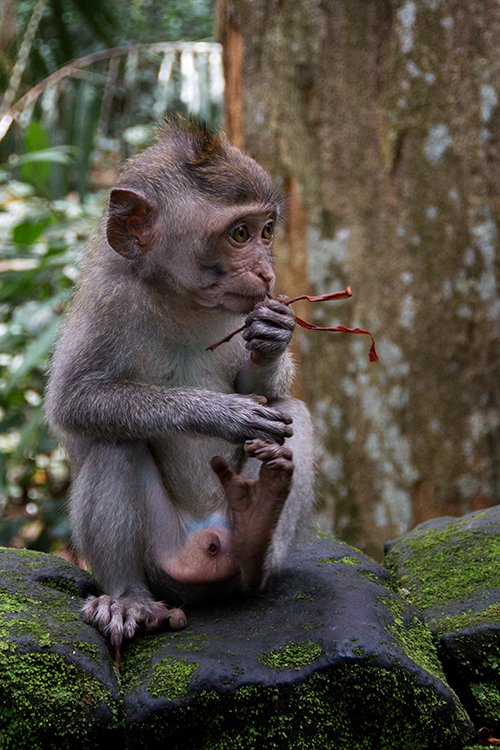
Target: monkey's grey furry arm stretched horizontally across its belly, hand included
x,y
118,411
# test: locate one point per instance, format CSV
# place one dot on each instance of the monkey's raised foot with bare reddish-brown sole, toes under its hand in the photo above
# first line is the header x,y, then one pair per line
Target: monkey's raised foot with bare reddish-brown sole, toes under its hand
x,y
255,505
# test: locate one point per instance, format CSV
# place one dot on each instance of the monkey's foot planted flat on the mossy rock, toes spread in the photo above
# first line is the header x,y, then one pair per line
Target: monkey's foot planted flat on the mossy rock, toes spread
x,y
119,619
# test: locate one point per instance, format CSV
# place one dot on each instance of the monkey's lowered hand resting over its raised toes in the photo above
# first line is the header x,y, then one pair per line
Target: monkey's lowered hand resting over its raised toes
x,y
242,418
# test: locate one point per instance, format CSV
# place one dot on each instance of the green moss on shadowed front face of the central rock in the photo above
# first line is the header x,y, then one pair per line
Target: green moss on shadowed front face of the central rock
x,y
338,709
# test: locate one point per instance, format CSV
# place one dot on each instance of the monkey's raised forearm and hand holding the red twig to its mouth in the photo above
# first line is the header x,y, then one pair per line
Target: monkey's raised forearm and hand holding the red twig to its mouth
x,y
269,369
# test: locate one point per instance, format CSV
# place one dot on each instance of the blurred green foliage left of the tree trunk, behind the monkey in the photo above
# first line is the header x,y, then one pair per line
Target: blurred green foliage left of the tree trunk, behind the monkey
x,y
55,163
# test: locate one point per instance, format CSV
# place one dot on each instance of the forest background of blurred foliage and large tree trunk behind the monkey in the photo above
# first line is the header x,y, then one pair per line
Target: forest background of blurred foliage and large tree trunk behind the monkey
x,y
379,120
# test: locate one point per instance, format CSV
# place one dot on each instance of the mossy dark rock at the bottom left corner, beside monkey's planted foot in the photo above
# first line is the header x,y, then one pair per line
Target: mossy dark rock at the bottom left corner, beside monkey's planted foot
x,y
57,687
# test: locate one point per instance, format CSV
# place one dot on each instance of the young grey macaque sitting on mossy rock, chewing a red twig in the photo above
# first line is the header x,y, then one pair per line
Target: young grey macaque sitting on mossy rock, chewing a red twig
x,y
192,469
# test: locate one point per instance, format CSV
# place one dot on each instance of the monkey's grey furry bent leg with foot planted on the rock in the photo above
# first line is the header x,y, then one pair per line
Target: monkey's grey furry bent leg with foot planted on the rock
x,y
118,504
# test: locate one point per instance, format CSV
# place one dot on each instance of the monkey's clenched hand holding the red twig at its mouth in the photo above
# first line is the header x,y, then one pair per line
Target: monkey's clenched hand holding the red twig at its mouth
x,y
269,328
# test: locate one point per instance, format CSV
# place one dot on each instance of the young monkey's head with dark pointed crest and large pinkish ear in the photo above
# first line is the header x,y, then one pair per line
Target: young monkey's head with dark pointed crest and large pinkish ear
x,y
196,216
